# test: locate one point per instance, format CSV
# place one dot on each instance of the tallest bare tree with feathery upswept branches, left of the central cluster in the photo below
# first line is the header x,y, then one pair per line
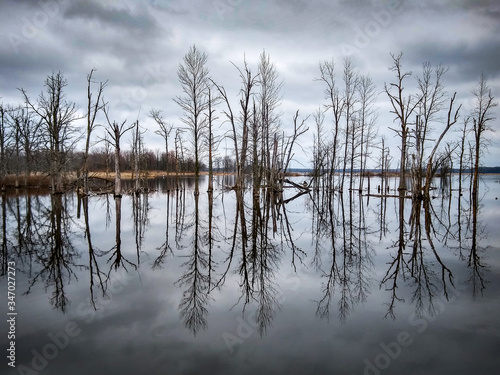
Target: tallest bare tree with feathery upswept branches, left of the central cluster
x,y
193,76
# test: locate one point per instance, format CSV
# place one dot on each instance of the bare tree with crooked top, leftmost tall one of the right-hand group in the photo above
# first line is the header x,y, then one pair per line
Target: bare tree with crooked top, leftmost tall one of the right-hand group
x,y
403,108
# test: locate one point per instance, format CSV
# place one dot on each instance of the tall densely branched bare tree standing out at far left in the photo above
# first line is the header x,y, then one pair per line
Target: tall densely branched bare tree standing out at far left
x,y
58,116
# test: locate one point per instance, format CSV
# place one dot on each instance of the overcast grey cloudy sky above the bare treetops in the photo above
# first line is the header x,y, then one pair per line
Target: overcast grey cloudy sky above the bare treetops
x,y
137,45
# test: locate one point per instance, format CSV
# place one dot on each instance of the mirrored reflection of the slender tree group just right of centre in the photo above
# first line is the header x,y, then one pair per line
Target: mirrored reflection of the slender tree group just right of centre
x,y
341,224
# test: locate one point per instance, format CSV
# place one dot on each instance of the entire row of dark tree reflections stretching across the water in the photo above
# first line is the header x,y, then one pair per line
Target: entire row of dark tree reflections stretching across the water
x,y
246,241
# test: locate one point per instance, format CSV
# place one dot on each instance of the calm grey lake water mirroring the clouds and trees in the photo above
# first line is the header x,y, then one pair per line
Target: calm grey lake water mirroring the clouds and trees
x,y
174,283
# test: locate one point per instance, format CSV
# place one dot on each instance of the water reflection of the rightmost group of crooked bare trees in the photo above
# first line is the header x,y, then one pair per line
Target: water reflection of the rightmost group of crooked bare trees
x,y
422,267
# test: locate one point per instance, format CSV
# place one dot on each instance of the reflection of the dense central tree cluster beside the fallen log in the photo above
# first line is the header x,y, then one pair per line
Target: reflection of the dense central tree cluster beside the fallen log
x,y
259,245
